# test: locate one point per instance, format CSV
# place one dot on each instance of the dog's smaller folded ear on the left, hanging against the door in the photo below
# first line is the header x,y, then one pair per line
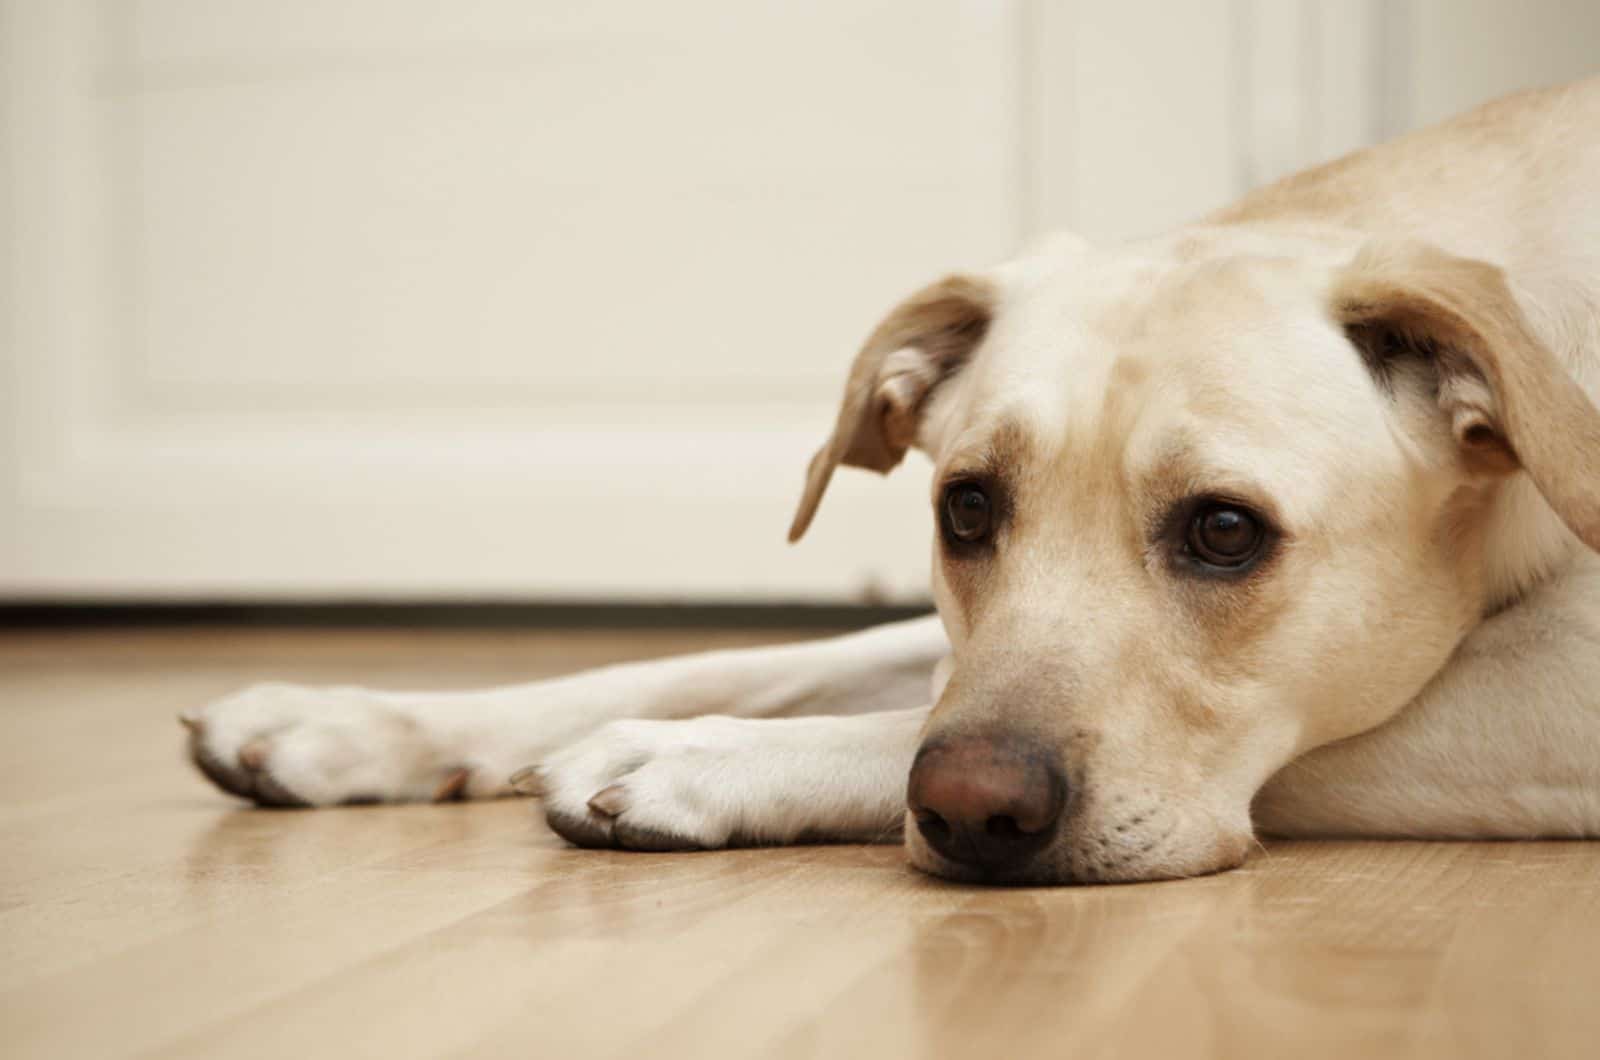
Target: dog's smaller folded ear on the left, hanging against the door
x,y
922,342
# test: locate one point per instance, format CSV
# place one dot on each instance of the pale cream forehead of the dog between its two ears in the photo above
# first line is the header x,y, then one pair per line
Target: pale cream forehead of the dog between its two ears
x,y
1164,355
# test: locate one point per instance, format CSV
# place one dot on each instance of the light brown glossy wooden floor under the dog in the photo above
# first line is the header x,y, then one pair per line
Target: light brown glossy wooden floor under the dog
x,y
143,913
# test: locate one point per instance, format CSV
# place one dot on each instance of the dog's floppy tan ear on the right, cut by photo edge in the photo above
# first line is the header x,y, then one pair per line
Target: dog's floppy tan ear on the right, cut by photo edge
x,y
1510,400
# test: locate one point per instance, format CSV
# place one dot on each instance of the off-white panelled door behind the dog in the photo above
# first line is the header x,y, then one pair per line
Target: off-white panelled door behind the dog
x,y
505,299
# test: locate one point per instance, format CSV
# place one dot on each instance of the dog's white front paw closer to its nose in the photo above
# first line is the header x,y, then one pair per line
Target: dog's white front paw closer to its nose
x,y
650,785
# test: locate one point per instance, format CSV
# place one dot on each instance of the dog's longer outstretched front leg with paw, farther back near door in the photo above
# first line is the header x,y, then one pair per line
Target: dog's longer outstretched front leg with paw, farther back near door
x,y
297,745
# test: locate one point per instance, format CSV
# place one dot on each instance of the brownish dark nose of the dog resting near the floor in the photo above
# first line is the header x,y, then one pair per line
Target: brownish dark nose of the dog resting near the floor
x,y
990,803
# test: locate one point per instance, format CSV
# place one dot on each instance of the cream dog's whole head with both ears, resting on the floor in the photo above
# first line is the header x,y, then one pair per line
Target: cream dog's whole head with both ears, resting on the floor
x,y
1199,508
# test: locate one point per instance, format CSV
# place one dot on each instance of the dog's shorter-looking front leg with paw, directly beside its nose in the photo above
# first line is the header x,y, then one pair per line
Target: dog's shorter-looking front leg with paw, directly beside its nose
x,y
716,782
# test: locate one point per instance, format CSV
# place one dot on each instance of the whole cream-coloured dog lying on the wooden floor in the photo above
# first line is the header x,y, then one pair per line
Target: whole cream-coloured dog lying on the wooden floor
x,y
1282,521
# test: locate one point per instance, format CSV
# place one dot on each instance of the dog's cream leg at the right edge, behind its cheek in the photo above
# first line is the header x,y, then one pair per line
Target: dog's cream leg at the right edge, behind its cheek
x,y
1503,744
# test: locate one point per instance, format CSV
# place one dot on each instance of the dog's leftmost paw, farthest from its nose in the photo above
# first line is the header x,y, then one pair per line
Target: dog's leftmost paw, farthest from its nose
x,y
294,745
